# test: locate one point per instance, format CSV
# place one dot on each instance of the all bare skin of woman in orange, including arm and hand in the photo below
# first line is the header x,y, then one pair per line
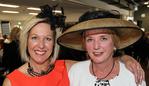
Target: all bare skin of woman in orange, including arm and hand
x,y
40,47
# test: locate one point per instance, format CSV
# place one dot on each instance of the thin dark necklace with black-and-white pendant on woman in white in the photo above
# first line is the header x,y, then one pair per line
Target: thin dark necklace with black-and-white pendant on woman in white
x,y
100,81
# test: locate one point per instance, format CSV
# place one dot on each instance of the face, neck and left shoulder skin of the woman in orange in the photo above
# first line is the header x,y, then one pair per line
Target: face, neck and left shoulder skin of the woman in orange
x,y
40,48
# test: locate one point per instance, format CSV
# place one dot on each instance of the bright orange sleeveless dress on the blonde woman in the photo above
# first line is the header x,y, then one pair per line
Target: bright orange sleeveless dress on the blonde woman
x,y
57,77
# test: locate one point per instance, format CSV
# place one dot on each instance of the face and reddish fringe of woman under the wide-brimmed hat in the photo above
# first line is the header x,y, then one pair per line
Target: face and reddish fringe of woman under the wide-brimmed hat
x,y
99,45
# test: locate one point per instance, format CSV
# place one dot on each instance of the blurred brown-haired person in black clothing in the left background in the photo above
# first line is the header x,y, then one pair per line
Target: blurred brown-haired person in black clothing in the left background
x,y
11,54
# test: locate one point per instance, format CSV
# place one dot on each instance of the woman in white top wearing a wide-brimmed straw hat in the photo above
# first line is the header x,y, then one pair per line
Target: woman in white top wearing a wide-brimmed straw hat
x,y
100,34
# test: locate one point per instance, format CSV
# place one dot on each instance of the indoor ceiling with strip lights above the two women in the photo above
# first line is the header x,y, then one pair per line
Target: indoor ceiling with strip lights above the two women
x,y
71,7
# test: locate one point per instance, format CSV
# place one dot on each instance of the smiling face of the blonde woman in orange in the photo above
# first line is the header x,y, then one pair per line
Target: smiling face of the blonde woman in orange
x,y
40,43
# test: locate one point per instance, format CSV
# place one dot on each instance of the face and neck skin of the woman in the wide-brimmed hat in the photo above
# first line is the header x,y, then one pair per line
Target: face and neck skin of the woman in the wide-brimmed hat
x,y
100,48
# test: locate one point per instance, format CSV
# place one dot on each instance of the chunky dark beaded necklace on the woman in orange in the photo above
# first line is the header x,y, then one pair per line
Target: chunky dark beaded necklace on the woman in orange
x,y
33,73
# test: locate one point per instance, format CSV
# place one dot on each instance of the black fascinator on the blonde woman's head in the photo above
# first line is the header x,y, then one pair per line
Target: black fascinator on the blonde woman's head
x,y
56,20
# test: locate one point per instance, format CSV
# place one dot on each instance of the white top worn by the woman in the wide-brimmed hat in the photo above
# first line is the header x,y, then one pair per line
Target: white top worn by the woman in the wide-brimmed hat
x,y
80,75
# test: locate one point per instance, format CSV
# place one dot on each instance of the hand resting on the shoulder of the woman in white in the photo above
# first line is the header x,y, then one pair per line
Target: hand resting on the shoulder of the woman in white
x,y
134,66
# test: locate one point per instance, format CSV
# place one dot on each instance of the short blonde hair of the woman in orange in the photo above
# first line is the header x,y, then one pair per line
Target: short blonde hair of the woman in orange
x,y
25,33
